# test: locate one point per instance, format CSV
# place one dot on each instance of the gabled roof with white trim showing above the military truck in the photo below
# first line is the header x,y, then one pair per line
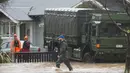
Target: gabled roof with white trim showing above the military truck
x,y
114,5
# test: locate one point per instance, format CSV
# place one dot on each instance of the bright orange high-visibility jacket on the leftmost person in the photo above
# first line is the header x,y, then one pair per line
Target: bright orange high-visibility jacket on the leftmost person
x,y
15,48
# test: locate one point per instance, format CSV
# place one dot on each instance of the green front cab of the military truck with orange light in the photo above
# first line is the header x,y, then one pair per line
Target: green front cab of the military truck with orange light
x,y
106,41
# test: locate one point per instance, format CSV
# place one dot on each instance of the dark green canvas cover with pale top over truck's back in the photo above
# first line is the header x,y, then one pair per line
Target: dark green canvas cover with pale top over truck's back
x,y
66,21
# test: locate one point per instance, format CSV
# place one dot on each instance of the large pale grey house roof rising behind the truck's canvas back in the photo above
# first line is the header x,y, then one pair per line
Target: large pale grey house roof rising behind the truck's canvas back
x,y
40,5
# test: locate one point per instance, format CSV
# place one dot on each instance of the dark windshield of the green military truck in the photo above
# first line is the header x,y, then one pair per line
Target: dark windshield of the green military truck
x,y
109,29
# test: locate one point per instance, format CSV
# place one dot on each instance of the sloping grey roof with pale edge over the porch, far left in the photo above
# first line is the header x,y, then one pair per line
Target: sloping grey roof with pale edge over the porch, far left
x,y
15,14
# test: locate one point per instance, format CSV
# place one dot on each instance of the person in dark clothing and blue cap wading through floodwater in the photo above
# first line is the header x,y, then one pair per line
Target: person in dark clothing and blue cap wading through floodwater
x,y
63,53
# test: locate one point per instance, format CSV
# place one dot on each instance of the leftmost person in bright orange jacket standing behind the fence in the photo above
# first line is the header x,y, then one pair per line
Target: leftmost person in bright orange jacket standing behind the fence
x,y
15,45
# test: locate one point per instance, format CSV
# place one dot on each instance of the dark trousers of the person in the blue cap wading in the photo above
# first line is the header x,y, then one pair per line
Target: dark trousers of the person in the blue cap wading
x,y
66,62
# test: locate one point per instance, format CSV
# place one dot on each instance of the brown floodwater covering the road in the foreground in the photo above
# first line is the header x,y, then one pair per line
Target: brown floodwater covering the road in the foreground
x,y
49,67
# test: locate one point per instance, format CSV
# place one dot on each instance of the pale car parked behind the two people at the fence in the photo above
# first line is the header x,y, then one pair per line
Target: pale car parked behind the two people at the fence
x,y
5,47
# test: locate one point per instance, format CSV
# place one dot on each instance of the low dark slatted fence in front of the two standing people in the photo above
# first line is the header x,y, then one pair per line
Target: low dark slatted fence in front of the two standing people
x,y
35,57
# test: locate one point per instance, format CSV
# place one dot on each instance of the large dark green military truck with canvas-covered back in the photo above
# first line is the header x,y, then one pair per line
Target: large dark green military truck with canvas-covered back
x,y
90,34
